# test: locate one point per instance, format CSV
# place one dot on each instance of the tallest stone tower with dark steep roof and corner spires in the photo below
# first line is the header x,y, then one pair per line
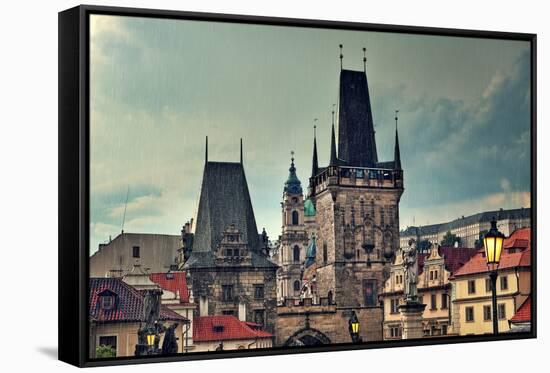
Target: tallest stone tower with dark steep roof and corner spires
x,y
356,198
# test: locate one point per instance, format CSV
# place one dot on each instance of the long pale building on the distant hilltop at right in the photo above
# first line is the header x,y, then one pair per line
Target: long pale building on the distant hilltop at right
x,y
470,228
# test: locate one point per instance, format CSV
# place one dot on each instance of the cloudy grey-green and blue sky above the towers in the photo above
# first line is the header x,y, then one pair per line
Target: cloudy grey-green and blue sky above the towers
x,y
158,87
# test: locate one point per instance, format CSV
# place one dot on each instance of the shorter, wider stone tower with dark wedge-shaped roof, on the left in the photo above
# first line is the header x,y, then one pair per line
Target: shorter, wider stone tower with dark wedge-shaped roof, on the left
x,y
228,261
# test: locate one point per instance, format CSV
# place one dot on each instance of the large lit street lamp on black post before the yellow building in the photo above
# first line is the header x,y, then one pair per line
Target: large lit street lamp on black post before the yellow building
x,y
493,241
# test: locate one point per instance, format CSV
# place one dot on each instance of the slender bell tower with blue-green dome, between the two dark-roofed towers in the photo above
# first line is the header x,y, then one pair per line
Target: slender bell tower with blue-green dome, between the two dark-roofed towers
x,y
298,223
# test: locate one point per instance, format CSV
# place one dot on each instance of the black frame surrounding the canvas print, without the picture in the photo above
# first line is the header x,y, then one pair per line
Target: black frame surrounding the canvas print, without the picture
x,y
74,175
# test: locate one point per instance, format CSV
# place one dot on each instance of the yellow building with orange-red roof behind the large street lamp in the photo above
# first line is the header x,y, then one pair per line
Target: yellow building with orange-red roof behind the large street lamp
x,y
471,297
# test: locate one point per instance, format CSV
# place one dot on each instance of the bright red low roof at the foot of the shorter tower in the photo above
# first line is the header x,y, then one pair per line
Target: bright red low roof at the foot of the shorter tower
x,y
231,329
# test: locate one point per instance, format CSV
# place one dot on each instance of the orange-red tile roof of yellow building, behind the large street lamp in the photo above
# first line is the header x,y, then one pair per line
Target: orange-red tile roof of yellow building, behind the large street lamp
x,y
478,263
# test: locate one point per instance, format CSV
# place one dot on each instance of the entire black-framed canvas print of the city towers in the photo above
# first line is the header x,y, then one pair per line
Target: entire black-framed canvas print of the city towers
x,y
236,186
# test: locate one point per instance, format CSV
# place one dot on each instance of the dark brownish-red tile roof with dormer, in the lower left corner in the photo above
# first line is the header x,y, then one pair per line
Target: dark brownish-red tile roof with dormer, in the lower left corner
x,y
128,304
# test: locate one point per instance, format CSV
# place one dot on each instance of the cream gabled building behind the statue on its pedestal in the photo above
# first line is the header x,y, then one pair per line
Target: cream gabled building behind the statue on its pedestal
x,y
434,289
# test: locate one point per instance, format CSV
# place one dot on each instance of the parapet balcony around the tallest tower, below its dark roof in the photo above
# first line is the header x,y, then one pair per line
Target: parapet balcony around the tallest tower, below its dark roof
x,y
359,177
